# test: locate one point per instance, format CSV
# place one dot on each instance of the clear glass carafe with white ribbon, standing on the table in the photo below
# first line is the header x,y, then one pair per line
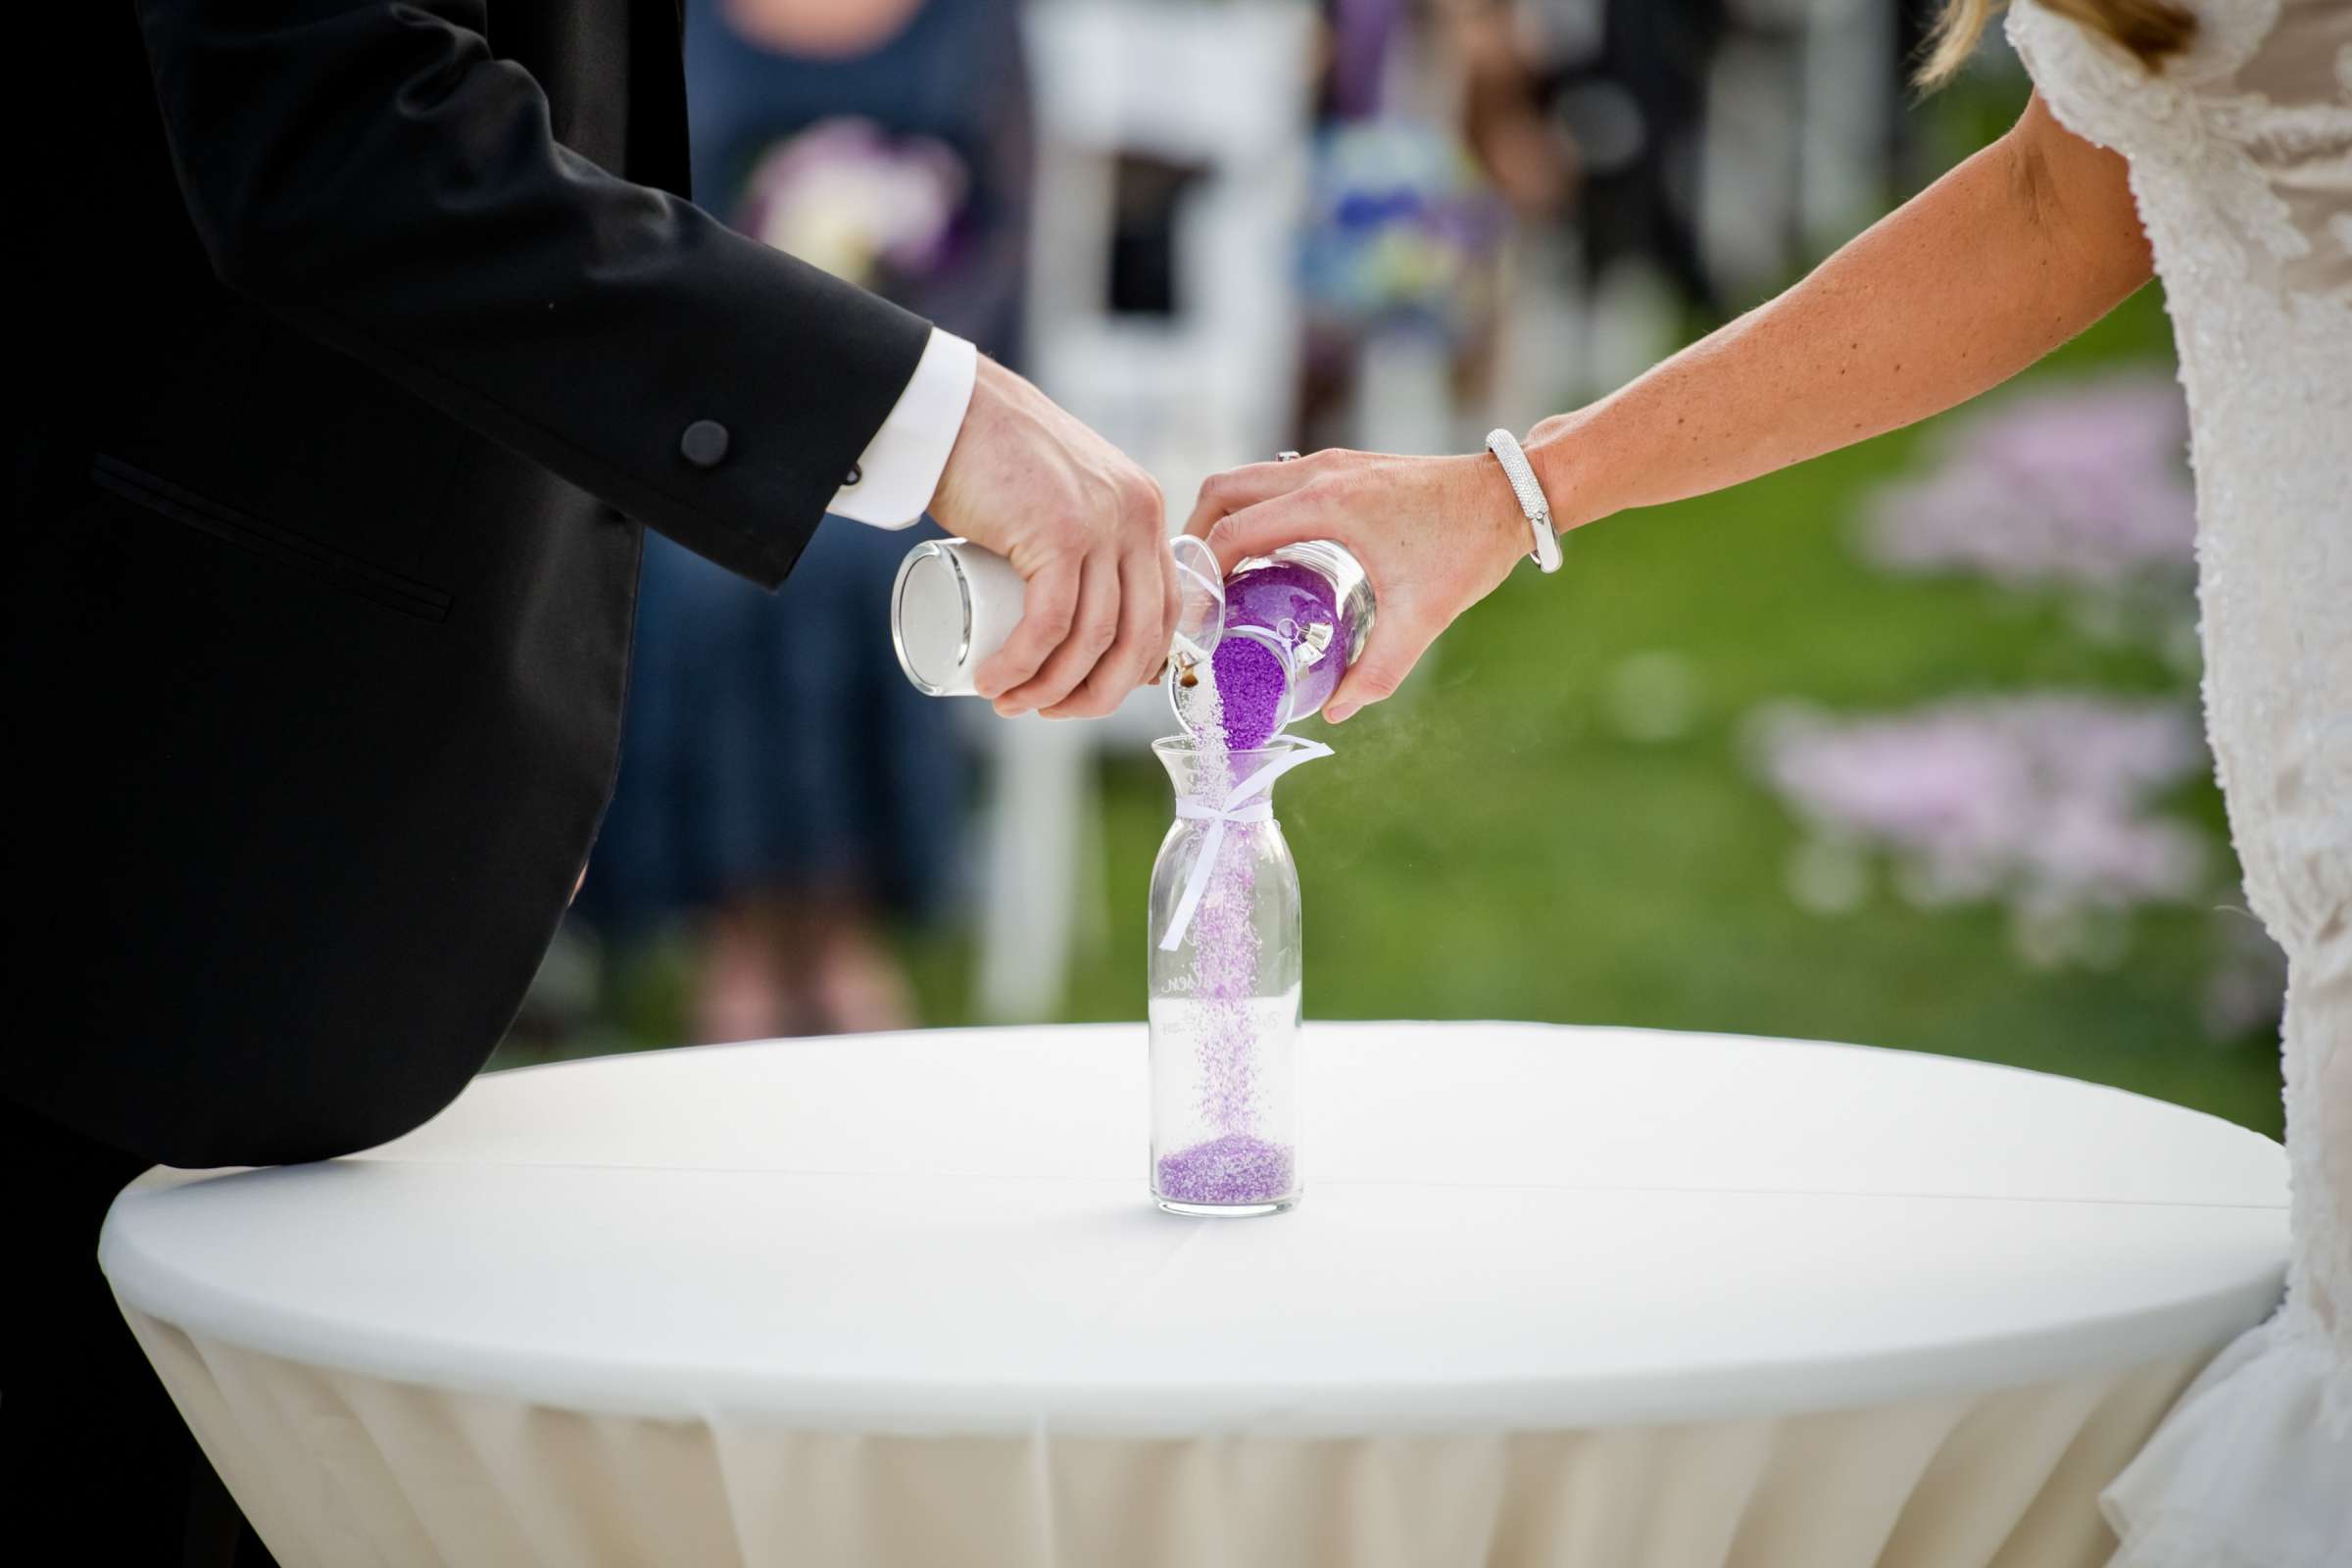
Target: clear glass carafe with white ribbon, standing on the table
x,y
1224,986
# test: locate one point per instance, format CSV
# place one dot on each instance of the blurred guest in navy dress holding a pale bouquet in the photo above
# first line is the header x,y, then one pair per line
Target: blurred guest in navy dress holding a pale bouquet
x,y
784,789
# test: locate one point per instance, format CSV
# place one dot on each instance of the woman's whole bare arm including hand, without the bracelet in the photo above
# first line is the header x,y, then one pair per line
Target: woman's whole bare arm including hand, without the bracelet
x,y
1958,290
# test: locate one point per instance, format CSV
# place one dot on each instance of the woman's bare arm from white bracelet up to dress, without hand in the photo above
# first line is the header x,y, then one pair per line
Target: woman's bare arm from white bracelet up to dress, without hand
x,y
1958,290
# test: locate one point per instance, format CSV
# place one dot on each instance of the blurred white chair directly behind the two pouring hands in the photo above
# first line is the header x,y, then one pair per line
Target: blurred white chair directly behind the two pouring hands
x,y
1224,88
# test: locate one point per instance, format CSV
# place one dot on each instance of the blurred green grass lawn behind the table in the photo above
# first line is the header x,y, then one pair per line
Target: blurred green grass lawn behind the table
x,y
1495,845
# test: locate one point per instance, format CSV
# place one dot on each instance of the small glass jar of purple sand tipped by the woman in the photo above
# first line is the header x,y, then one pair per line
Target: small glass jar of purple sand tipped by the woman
x,y
1295,624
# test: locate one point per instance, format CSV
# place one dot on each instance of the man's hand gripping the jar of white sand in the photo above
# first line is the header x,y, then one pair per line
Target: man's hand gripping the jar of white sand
x,y
1083,528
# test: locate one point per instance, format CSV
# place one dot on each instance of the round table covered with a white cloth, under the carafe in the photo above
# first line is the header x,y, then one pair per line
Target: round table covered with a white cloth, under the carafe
x,y
1608,1299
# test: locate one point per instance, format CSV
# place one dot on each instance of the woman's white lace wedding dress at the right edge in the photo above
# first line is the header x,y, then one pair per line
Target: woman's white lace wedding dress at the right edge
x,y
2243,166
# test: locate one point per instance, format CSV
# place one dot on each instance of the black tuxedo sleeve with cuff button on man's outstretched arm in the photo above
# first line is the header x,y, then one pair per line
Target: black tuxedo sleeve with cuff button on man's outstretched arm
x,y
368,170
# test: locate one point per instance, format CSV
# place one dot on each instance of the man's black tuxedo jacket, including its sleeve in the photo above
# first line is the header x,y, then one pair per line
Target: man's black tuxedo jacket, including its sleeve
x,y
361,340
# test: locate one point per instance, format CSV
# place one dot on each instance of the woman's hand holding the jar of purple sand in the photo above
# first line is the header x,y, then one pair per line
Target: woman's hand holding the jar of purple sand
x,y
1436,537
